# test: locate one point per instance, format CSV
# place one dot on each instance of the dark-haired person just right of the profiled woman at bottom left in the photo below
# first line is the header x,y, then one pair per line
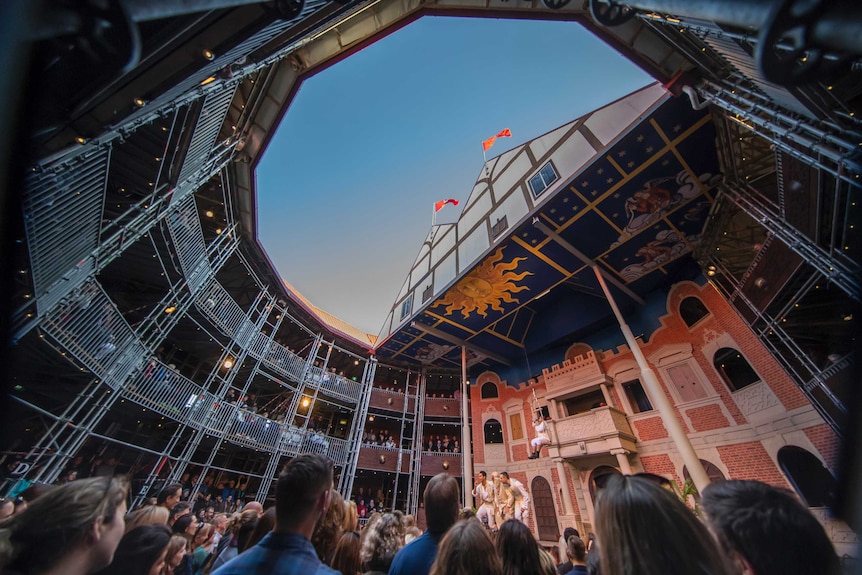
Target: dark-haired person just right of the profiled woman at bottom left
x,y
141,551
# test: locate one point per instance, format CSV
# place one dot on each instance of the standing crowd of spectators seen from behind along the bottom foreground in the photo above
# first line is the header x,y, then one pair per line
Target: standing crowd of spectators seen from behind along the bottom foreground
x,y
82,527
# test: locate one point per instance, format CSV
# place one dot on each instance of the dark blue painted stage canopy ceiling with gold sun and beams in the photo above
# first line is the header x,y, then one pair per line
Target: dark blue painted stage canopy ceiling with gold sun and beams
x,y
638,208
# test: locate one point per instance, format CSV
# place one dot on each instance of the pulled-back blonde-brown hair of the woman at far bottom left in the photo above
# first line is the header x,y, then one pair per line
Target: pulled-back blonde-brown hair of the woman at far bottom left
x,y
59,521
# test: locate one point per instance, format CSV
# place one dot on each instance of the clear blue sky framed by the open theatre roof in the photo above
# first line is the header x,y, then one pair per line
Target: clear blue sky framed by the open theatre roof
x,y
346,187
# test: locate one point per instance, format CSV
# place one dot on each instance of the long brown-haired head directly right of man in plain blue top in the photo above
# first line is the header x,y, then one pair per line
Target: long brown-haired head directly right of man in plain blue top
x,y
466,549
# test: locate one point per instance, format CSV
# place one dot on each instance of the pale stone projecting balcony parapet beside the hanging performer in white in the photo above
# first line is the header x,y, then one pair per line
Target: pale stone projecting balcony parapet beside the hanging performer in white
x,y
600,431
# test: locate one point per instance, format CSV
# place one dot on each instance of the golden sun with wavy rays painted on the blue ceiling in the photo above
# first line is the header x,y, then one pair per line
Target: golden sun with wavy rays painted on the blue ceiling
x,y
488,286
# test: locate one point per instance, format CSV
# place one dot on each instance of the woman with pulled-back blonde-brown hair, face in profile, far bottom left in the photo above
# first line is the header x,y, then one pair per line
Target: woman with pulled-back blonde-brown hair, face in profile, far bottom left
x,y
73,529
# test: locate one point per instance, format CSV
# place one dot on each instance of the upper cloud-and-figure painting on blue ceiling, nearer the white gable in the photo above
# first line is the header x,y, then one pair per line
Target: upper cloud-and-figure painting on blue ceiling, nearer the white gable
x,y
660,196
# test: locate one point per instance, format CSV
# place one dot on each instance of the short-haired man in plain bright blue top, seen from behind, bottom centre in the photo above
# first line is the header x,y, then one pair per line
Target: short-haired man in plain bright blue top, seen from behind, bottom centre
x,y
441,500
